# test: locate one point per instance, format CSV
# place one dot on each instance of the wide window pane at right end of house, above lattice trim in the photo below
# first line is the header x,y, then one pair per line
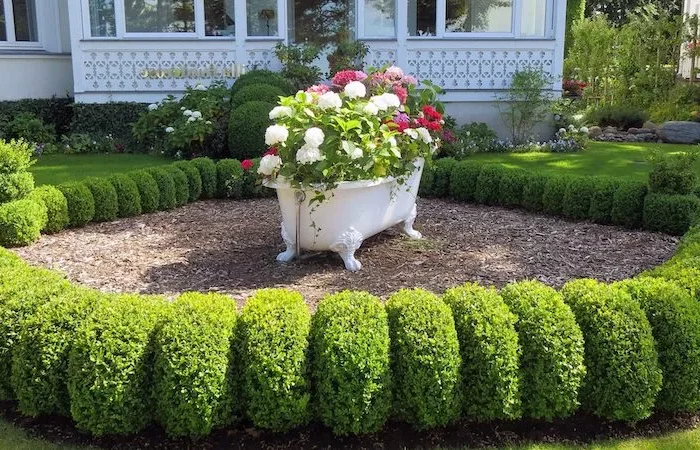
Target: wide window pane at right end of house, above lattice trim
x,y
479,16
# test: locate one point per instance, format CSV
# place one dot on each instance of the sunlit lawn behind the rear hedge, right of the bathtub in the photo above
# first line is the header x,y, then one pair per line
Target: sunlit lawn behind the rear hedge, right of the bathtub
x,y
626,160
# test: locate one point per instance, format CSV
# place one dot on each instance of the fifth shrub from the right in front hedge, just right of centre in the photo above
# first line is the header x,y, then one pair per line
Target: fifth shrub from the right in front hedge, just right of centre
x,y
425,359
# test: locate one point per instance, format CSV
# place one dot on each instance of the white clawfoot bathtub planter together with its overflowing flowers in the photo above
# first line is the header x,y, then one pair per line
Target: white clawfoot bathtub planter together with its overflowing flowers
x,y
346,160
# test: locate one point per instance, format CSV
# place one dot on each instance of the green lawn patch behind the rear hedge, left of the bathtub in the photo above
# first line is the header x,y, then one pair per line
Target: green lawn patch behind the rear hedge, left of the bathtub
x,y
56,169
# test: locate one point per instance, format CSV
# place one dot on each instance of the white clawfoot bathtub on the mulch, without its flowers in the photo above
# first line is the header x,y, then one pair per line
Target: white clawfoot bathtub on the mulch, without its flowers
x,y
351,213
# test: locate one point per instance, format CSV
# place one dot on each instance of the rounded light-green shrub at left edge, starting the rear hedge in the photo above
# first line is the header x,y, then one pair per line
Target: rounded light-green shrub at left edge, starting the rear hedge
x,y
21,222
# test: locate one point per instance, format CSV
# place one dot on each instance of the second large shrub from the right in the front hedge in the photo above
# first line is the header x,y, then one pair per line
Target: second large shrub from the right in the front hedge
x,y
623,375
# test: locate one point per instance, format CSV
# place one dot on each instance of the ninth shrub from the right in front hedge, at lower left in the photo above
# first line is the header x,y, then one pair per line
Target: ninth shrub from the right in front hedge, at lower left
x,y
109,366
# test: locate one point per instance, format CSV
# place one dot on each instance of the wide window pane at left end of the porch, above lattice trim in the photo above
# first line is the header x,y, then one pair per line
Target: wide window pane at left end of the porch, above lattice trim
x,y
159,16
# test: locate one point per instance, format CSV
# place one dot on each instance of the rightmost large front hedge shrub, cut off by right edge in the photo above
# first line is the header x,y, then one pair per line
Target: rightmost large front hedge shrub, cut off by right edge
x,y
675,323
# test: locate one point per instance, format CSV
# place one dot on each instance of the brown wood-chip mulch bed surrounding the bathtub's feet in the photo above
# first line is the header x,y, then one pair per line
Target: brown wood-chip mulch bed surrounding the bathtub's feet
x,y
230,247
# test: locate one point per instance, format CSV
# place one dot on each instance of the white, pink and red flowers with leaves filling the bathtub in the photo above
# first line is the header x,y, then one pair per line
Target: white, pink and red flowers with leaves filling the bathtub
x,y
363,126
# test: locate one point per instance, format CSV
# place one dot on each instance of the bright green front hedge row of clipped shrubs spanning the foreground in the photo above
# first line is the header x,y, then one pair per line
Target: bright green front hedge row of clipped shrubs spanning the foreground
x,y
117,363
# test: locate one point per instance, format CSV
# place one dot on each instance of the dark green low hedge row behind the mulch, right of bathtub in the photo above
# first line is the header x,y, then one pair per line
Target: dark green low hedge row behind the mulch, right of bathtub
x,y
600,199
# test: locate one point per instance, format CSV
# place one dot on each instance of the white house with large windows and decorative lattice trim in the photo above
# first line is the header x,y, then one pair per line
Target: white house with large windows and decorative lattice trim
x,y
141,50
